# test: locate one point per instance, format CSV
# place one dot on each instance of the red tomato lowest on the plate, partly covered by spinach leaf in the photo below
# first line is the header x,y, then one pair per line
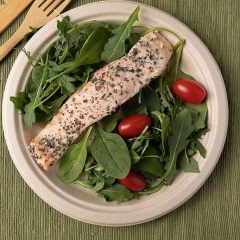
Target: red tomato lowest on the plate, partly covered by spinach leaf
x,y
134,181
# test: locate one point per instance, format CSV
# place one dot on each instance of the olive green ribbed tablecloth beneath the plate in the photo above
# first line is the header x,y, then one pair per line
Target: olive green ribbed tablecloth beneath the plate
x,y
212,213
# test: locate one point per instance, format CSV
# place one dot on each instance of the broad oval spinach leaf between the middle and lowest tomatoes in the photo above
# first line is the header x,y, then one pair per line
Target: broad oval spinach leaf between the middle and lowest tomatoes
x,y
111,152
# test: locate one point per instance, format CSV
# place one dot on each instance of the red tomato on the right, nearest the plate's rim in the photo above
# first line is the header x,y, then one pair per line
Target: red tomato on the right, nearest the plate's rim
x,y
189,90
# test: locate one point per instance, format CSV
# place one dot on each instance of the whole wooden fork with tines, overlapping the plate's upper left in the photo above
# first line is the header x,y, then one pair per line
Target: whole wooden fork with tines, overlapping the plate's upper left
x,y
40,13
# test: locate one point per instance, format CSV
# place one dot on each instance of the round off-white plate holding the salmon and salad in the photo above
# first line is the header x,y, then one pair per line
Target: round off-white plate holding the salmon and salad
x,y
78,202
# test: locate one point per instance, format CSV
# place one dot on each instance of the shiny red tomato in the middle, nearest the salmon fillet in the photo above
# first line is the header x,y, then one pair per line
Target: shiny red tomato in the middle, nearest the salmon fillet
x,y
133,125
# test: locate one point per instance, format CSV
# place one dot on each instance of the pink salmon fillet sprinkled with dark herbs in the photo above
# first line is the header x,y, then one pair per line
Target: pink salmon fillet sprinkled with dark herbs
x,y
108,88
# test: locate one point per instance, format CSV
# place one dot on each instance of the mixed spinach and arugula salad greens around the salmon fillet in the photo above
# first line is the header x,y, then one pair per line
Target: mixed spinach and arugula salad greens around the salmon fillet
x,y
164,148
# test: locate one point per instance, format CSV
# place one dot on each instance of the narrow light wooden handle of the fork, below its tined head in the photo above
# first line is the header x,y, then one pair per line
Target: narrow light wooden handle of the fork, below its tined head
x,y
13,41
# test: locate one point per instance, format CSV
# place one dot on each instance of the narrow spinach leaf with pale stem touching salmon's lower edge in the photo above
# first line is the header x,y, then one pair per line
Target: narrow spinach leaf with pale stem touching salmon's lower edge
x,y
73,161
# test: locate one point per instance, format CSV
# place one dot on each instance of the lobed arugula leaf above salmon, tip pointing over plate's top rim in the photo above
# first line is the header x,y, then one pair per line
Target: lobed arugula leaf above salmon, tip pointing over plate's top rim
x,y
115,47
